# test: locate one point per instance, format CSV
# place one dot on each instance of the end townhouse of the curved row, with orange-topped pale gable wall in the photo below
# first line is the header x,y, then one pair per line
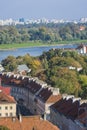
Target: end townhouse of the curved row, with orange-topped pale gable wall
x,y
44,99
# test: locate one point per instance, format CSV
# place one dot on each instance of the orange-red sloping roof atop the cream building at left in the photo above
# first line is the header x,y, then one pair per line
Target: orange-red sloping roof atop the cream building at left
x,y
4,98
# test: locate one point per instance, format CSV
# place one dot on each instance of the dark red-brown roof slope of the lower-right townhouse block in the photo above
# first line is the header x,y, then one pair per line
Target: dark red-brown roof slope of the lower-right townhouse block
x,y
67,107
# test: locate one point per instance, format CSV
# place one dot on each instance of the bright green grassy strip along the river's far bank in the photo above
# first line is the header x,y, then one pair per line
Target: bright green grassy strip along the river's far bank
x,y
36,43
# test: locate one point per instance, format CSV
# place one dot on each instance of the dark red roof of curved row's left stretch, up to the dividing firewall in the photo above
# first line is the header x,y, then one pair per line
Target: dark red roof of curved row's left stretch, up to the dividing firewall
x,y
19,82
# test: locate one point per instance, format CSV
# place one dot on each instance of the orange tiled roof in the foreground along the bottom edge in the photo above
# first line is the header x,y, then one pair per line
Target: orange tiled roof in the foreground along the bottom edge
x,y
27,123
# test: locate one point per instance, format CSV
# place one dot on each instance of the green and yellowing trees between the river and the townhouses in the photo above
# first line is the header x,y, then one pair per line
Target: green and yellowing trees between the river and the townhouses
x,y
53,67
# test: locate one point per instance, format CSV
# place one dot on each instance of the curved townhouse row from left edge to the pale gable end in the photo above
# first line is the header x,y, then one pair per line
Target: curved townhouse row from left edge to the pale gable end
x,y
32,93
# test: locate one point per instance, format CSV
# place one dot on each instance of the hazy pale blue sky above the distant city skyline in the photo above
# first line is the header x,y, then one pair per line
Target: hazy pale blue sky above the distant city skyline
x,y
34,9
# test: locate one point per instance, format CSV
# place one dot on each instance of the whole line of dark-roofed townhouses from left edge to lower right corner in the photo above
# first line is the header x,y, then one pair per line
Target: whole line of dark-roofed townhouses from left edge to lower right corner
x,y
64,111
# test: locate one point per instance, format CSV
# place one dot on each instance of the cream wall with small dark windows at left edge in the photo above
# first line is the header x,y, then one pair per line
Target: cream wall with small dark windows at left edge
x,y
3,111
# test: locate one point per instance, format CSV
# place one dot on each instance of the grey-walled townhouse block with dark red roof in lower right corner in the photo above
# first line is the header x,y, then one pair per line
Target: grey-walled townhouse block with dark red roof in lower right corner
x,y
69,114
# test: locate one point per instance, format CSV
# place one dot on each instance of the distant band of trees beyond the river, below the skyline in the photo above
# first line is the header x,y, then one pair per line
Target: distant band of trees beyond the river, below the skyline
x,y
42,32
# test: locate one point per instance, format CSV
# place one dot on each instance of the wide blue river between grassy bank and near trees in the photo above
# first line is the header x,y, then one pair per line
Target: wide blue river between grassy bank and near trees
x,y
33,51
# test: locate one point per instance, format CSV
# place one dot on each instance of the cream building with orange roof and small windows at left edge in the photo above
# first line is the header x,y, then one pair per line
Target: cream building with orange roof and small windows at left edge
x,y
7,105
